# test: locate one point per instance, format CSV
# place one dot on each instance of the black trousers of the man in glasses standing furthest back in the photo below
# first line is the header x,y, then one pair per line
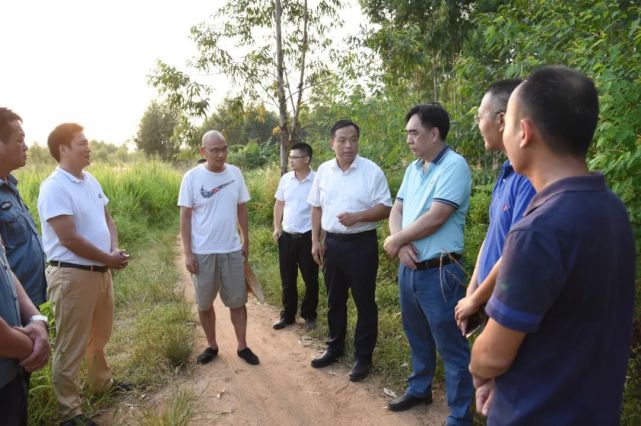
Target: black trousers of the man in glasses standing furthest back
x,y
295,251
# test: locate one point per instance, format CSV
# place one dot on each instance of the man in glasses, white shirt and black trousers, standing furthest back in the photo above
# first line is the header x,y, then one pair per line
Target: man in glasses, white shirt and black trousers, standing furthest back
x,y
292,230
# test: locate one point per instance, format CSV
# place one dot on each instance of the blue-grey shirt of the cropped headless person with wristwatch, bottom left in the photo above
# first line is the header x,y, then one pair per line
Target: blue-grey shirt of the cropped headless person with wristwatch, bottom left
x,y
10,313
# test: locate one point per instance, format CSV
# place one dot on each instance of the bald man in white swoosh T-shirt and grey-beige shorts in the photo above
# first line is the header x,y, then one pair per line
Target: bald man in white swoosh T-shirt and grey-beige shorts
x,y
212,203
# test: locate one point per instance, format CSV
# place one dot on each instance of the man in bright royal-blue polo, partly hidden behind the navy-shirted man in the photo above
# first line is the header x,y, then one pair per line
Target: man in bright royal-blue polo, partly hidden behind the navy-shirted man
x,y
511,195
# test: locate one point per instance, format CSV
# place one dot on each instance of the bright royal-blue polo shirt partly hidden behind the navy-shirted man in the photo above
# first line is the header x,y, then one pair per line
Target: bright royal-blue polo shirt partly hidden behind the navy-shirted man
x,y
511,195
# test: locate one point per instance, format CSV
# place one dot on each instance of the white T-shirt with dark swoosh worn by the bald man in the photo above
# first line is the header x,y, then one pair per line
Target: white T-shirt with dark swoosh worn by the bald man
x,y
213,198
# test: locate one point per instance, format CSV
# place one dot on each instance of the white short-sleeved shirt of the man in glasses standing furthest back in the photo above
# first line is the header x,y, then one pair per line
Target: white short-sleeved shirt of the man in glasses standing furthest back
x,y
294,192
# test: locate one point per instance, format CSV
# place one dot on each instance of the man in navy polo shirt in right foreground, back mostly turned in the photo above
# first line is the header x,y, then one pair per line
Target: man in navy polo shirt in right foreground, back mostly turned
x,y
556,347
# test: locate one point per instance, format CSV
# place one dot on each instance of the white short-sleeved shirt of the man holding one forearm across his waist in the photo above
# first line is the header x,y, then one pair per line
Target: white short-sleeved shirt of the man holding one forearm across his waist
x,y
362,186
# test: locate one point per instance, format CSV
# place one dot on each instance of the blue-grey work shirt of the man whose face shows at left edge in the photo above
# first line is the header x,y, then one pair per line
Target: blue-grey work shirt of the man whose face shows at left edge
x,y
22,242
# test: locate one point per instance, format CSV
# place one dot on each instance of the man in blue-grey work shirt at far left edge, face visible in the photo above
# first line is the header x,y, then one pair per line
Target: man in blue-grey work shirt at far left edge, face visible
x,y
17,228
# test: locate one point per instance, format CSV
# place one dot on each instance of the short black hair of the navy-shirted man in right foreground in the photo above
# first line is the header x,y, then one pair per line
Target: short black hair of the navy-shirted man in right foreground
x,y
564,105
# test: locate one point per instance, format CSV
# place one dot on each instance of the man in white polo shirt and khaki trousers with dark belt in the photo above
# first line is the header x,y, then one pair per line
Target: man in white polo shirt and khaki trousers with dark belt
x,y
81,244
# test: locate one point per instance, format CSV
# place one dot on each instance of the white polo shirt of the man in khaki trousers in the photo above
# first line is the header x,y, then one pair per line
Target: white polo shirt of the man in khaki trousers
x,y
64,194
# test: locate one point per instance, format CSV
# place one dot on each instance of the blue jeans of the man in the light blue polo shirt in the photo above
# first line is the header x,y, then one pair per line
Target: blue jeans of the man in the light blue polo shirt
x,y
428,298
